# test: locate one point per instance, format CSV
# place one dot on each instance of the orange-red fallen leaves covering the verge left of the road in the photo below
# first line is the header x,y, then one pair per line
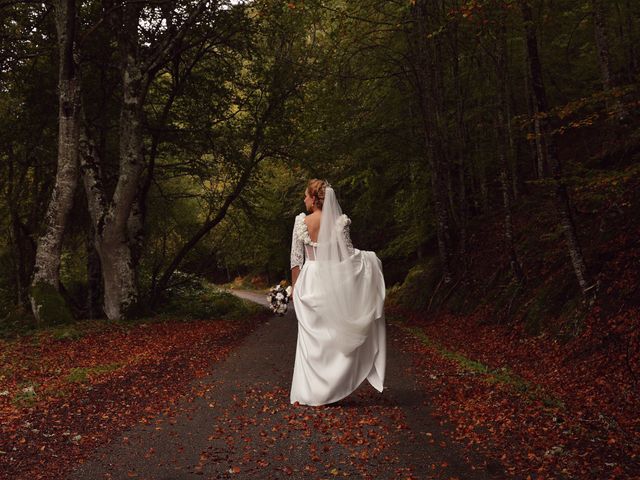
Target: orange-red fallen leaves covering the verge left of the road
x,y
66,395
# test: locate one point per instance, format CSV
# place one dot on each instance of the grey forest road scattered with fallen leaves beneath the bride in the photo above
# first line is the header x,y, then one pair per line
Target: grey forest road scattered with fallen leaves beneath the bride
x,y
242,425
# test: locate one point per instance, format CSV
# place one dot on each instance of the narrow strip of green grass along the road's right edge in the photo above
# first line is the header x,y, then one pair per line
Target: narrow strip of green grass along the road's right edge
x,y
497,376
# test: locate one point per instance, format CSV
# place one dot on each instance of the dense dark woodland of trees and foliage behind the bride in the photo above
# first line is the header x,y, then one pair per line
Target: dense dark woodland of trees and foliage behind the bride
x,y
142,139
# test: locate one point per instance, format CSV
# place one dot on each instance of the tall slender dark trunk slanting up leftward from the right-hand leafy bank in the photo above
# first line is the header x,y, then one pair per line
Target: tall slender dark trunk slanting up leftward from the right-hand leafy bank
x,y
562,200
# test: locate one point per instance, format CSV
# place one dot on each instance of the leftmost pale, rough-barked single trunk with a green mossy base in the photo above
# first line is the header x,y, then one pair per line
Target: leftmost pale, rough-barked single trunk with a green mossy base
x,y
47,303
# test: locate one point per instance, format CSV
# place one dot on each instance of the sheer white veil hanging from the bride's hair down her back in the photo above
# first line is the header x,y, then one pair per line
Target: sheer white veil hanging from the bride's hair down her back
x,y
350,303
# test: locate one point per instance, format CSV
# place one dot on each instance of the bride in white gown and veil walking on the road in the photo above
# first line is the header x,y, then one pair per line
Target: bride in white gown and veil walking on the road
x,y
338,295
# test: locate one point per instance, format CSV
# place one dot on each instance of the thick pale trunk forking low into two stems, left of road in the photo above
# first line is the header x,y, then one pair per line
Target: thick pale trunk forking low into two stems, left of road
x,y
119,220
